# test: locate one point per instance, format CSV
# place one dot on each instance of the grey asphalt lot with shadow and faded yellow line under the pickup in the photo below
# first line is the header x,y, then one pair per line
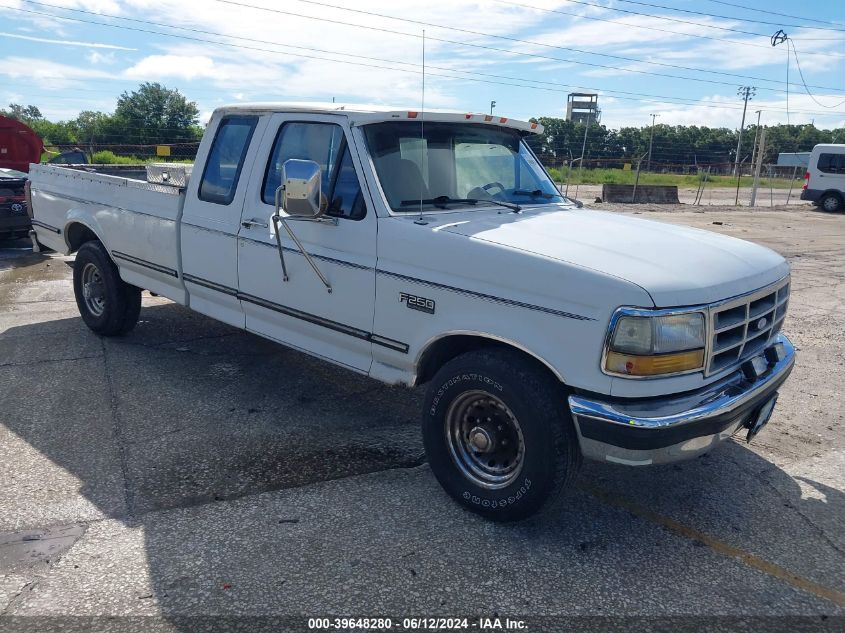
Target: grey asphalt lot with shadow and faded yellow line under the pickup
x,y
190,468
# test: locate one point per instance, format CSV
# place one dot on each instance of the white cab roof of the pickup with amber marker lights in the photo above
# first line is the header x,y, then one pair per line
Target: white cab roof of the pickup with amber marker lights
x,y
362,114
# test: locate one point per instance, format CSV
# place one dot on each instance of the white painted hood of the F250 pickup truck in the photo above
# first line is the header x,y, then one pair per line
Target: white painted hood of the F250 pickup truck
x,y
675,265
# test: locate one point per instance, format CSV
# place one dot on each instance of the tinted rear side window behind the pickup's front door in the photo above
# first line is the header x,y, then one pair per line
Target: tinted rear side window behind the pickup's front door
x,y
226,159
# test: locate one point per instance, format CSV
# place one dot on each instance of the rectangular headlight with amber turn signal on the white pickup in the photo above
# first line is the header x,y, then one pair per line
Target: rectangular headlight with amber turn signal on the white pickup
x,y
642,345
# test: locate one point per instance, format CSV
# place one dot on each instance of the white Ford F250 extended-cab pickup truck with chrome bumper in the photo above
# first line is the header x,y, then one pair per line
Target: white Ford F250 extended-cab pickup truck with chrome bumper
x,y
434,248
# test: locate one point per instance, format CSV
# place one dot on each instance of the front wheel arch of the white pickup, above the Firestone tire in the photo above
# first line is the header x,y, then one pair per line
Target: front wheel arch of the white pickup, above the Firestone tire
x,y
444,347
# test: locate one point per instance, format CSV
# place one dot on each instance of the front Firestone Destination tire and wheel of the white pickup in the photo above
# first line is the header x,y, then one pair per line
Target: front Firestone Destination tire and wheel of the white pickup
x,y
498,435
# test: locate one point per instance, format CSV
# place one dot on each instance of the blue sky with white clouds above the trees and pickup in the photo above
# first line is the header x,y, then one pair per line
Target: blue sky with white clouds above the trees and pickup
x,y
524,54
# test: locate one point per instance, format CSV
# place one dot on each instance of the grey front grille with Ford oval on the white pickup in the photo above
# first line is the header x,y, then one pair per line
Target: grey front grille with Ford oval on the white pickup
x,y
741,327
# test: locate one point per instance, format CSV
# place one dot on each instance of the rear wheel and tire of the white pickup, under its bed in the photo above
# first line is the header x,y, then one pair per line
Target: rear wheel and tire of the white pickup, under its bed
x,y
107,304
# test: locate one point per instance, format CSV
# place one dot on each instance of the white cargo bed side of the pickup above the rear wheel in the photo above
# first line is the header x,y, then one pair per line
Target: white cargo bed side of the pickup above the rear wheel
x,y
139,220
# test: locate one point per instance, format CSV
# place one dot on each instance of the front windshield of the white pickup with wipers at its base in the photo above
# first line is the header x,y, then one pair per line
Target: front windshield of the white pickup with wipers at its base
x,y
445,164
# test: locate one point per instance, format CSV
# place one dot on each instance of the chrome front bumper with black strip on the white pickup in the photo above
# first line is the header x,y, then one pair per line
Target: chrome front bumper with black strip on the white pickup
x,y
674,428
